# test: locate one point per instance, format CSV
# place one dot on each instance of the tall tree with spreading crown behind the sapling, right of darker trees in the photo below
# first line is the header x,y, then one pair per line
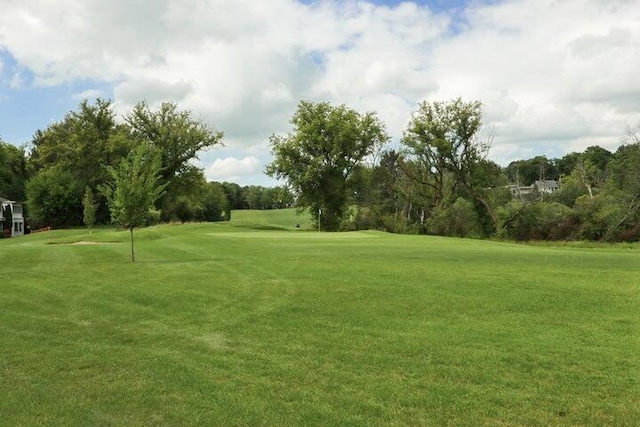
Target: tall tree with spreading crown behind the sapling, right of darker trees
x,y
179,138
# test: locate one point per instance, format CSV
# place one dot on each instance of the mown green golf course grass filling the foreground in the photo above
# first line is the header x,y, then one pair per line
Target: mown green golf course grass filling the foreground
x,y
225,324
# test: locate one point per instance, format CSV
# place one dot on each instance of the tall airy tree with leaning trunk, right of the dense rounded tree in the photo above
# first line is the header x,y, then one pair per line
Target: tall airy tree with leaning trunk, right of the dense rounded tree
x,y
444,141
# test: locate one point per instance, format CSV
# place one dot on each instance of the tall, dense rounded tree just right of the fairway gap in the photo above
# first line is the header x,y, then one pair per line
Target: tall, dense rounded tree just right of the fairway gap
x,y
319,156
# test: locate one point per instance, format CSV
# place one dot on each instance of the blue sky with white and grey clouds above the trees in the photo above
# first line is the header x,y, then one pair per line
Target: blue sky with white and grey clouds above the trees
x,y
554,76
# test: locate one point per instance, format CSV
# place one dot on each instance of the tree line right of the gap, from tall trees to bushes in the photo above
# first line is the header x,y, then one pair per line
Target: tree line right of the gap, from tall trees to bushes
x,y
440,181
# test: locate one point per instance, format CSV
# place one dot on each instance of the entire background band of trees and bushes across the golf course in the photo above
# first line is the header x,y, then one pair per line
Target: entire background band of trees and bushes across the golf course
x,y
337,164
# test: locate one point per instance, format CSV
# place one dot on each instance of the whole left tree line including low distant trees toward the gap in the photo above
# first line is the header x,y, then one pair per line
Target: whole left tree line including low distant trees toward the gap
x,y
73,159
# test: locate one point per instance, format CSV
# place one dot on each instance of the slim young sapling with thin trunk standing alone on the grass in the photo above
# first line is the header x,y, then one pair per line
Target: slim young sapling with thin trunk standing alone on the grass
x,y
135,188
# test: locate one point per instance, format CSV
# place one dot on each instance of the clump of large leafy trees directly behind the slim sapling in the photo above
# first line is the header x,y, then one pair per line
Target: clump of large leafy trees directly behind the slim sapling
x,y
80,149
